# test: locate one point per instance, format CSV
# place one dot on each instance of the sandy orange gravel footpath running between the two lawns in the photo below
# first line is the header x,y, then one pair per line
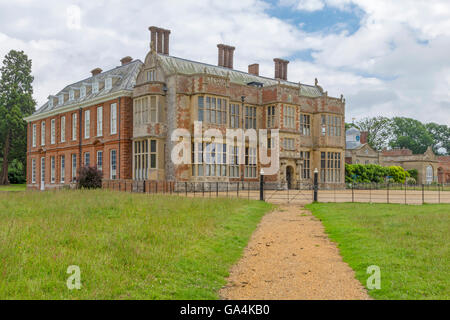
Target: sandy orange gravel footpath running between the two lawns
x,y
290,257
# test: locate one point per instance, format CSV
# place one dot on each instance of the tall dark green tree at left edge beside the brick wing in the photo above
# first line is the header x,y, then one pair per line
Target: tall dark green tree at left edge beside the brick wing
x,y
16,102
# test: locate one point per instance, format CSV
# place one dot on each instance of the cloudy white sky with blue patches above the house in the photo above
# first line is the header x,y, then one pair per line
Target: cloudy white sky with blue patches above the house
x,y
386,57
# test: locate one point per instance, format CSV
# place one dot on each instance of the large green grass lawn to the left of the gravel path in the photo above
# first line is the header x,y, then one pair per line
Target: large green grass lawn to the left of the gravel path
x,y
128,246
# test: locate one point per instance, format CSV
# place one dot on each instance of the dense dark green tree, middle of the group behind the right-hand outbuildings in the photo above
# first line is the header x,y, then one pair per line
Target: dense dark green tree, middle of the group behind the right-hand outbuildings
x,y
410,134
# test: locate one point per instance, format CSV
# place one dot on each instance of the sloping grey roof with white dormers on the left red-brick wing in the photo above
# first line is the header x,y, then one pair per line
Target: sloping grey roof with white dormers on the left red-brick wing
x,y
126,79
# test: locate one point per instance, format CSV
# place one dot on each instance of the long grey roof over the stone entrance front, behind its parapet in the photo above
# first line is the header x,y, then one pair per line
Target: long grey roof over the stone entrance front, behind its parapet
x,y
174,65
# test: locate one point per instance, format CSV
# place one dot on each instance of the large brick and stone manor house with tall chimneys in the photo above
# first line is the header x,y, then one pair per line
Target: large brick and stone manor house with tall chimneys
x,y
121,121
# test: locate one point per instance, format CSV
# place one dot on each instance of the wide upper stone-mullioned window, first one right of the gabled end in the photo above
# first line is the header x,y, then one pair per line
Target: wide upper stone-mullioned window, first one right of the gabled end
x,y
212,110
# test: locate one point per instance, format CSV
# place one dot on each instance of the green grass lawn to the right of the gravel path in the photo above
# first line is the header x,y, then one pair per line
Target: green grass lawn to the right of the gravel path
x,y
410,244
